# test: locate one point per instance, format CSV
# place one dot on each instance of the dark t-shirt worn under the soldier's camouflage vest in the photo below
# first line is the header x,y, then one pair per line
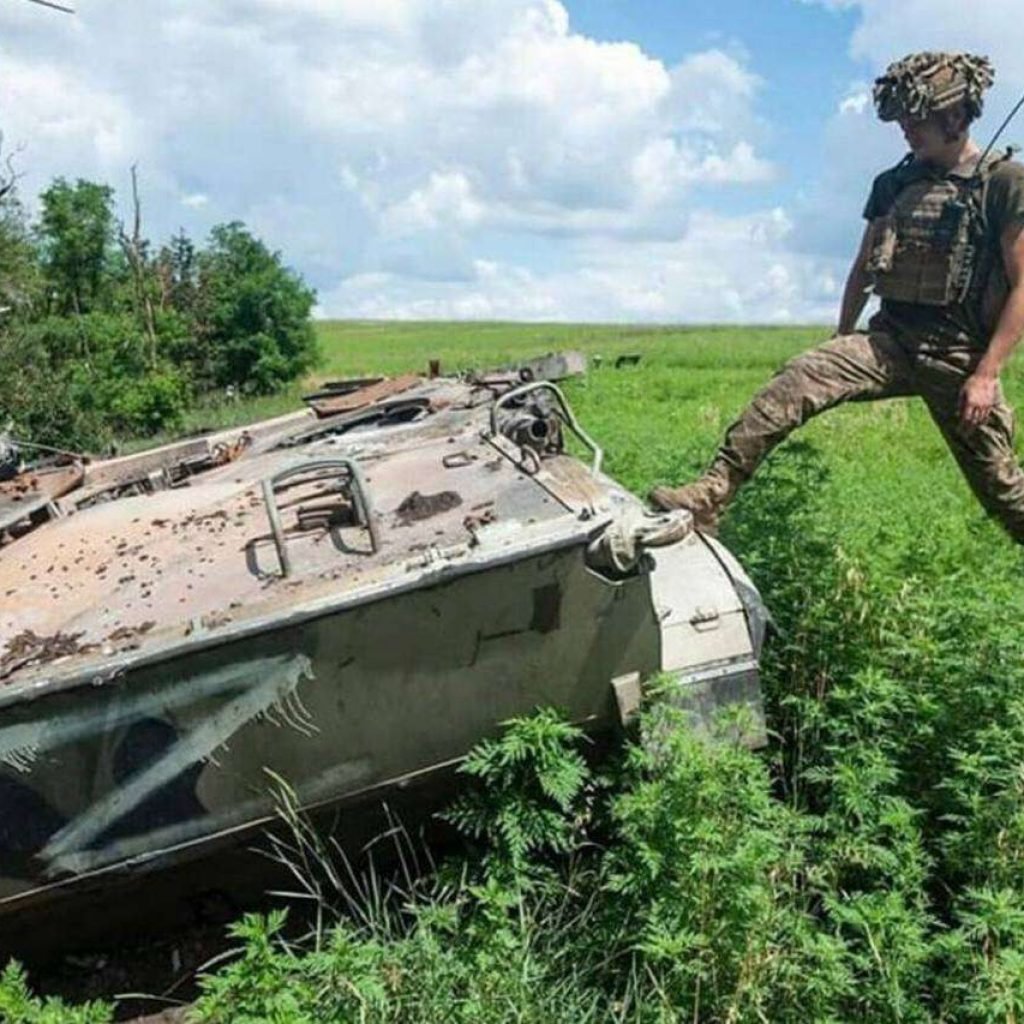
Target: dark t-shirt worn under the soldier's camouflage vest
x,y
962,324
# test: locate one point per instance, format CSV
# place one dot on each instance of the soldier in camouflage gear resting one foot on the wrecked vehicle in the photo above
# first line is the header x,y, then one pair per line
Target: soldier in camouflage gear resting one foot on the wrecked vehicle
x,y
945,251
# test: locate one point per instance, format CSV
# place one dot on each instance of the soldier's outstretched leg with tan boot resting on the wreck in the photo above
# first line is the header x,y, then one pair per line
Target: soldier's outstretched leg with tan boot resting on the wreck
x,y
850,368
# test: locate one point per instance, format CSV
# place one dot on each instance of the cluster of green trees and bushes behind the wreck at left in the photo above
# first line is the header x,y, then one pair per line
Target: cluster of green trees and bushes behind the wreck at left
x,y
105,335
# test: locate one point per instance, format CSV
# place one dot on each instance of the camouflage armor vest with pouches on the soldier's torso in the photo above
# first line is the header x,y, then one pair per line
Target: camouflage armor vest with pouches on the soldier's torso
x,y
927,248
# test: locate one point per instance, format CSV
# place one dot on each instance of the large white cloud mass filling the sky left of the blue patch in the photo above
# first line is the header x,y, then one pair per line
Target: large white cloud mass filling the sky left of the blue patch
x,y
405,147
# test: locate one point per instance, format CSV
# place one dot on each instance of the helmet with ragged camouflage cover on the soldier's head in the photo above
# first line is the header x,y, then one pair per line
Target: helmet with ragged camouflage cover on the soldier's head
x,y
924,83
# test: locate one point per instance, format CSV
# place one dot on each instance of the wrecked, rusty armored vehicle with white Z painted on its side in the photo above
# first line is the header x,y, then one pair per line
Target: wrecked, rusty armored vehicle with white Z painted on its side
x,y
351,596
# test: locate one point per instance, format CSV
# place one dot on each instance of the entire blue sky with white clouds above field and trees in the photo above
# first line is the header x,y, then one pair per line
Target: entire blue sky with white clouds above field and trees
x,y
603,160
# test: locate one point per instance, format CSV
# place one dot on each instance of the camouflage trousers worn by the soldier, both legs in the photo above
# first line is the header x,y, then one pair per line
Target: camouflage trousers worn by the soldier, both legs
x,y
868,367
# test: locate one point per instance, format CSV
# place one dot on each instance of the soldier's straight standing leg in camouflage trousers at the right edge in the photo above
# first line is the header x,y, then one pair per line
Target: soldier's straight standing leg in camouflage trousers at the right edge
x,y
986,454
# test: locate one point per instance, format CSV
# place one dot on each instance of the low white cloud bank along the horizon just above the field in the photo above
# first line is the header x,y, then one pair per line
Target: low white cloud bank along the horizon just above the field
x,y
723,269
